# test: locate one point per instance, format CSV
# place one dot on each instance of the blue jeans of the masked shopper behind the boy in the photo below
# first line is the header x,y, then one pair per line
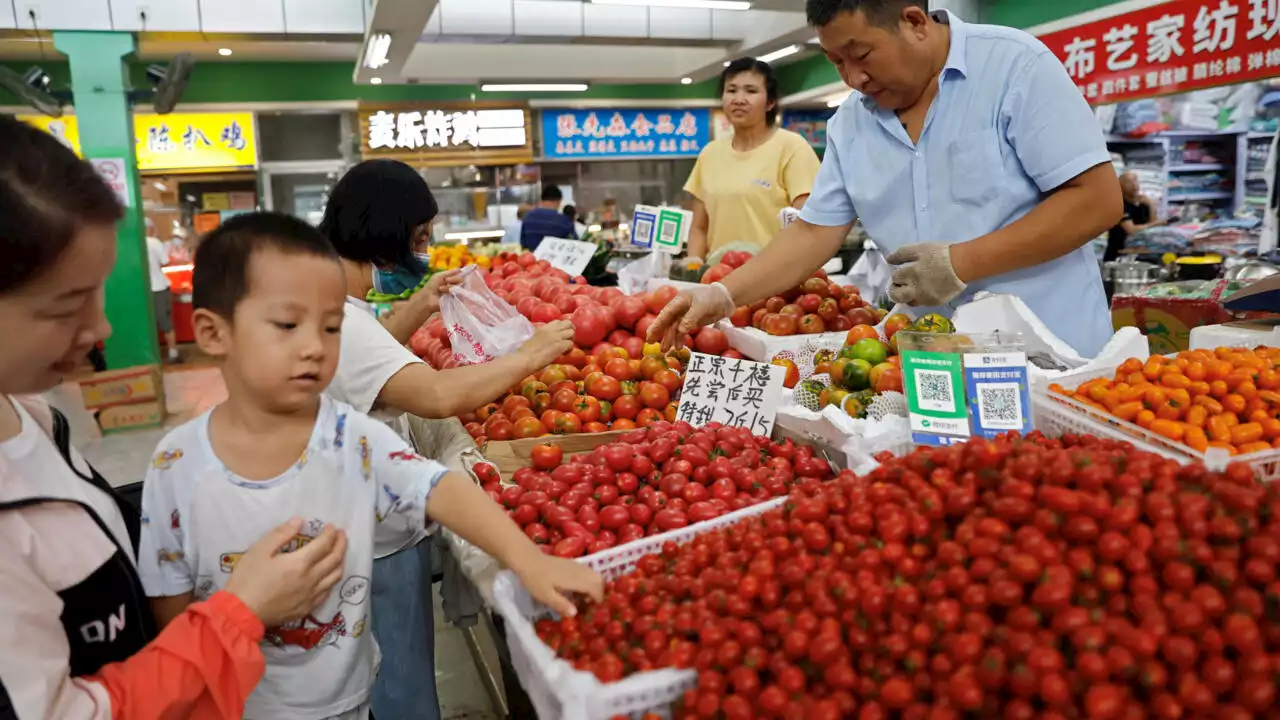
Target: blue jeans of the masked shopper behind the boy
x,y
405,627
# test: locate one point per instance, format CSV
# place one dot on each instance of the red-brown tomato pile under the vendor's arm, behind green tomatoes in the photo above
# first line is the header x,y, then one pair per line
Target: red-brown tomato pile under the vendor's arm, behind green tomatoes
x,y
815,307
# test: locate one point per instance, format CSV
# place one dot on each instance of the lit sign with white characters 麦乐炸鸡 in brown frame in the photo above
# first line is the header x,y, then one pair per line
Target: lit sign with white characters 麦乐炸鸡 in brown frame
x,y
447,135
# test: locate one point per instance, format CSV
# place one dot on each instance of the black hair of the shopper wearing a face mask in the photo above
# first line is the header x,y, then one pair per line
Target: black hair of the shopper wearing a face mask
x,y
374,213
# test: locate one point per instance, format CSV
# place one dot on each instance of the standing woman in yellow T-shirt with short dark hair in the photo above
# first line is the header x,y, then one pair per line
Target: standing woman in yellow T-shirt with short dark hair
x,y
742,184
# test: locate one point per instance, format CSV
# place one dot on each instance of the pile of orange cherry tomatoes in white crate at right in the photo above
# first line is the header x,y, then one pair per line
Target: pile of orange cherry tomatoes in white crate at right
x,y
1228,399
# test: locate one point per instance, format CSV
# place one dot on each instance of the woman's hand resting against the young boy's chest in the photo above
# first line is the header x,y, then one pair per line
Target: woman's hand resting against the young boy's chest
x,y
281,587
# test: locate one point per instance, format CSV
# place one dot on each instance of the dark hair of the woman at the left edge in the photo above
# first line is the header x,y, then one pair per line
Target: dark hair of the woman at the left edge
x,y
47,197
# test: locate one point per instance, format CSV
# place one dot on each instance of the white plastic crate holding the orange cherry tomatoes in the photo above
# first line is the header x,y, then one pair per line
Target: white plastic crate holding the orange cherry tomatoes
x,y
1057,414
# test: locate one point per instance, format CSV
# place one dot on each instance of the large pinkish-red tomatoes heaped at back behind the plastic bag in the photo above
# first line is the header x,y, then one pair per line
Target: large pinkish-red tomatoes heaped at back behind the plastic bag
x,y
604,317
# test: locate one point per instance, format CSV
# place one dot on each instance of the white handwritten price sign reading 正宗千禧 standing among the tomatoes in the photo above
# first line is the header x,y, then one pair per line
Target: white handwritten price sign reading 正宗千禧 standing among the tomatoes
x,y
740,394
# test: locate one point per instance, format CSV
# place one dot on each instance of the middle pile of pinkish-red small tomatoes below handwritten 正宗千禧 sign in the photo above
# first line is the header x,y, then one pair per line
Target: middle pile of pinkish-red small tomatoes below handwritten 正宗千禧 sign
x,y
653,481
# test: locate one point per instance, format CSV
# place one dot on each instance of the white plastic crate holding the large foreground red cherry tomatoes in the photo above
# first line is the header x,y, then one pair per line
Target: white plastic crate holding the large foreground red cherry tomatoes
x,y
560,692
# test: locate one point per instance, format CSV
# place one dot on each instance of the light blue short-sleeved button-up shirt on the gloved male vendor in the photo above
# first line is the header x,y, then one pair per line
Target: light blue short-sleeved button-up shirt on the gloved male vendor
x,y
1008,126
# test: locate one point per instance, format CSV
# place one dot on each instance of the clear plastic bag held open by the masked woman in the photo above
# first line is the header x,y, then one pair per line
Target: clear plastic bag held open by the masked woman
x,y
481,325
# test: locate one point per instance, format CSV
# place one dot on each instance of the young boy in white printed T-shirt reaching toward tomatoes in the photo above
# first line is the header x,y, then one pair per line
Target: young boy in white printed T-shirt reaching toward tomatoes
x,y
269,300
